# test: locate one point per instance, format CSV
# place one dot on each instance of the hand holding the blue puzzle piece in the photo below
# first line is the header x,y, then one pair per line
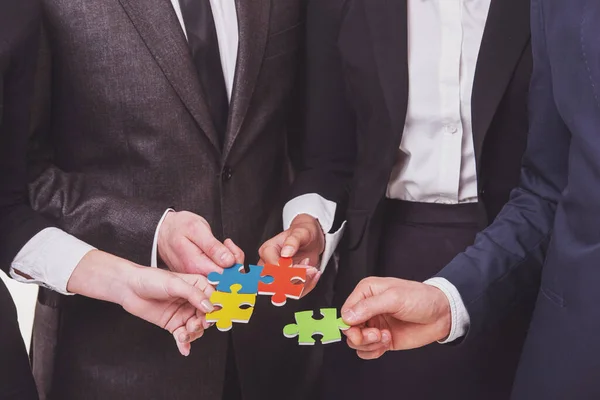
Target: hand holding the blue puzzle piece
x,y
186,244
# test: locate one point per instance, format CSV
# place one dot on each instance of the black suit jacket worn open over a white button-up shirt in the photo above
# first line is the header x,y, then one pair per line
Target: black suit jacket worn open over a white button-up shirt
x,y
357,101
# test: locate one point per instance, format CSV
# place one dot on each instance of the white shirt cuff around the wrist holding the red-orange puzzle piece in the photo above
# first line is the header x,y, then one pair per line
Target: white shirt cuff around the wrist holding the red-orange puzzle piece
x,y
324,211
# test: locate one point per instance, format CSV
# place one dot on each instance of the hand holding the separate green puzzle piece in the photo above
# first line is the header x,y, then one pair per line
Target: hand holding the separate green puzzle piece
x,y
394,314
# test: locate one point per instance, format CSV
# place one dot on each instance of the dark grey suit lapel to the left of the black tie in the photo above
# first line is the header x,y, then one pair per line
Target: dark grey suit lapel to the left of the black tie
x,y
157,24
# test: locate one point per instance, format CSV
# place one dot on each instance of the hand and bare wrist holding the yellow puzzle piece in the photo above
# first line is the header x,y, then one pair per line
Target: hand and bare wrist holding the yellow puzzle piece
x,y
175,302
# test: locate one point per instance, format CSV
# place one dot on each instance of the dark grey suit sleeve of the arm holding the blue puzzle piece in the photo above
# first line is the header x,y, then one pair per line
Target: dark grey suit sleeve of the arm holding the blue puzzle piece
x,y
121,225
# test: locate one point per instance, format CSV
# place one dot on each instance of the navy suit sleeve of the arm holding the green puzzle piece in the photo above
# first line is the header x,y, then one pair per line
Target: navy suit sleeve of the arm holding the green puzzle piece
x,y
505,262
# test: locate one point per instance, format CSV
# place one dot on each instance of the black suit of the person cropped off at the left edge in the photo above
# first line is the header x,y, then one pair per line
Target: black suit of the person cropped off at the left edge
x,y
19,34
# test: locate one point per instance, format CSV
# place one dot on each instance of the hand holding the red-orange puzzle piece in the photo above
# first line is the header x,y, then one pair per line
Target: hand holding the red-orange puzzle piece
x,y
304,241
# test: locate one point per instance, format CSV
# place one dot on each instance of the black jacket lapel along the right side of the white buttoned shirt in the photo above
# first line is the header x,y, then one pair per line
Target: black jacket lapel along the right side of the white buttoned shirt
x,y
505,38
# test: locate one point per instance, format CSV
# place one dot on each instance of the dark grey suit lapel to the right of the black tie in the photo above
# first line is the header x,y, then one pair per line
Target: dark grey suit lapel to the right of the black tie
x,y
253,21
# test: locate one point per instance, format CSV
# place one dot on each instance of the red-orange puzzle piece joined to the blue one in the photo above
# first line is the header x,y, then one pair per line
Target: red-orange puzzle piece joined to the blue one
x,y
288,282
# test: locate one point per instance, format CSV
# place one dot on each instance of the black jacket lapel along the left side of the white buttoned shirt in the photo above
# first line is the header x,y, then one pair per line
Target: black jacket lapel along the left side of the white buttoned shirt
x,y
388,25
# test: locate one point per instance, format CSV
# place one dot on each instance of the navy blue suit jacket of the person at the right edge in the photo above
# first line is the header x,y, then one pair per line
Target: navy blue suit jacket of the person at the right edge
x,y
553,217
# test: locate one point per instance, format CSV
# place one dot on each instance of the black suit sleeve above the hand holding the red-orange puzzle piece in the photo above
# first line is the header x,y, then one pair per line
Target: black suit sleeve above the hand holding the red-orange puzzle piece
x,y
329,146
